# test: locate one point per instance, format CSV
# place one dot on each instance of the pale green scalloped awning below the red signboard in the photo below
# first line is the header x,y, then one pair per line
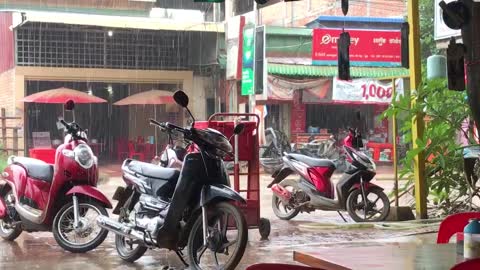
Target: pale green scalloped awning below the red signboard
x,y
331,71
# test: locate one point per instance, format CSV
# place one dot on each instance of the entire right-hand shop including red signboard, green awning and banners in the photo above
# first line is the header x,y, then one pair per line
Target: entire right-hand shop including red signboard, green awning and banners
x,y
306,101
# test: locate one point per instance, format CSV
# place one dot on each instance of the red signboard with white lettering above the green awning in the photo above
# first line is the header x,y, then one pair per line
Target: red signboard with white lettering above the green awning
x,y
381,48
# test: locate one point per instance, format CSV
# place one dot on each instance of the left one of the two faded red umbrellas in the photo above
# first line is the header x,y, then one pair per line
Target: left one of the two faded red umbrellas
x,y
62,95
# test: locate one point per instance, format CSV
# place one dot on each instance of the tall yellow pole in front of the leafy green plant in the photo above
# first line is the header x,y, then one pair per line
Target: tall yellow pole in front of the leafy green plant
x,y
418,124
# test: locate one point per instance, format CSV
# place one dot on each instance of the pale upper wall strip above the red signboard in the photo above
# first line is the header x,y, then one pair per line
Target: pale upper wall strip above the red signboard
x,y
299,13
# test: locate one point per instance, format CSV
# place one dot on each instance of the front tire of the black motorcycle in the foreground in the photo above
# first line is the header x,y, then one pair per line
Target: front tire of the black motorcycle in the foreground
x,y
195,236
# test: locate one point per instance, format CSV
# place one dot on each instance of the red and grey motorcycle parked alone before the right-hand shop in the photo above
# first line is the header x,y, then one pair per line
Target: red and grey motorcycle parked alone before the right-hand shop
x,y
363,200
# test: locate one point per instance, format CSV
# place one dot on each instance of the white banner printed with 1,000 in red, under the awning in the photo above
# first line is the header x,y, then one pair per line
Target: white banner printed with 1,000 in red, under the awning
x,y
365,91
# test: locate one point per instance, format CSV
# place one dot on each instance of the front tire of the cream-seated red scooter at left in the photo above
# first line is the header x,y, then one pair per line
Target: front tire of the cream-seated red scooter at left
x,y
84,247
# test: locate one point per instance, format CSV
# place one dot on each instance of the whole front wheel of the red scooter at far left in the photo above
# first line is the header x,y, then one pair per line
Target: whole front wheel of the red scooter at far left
x,y
85,238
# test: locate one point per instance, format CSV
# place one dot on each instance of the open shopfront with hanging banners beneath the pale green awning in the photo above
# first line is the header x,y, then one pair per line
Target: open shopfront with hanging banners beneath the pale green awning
x,y
319,108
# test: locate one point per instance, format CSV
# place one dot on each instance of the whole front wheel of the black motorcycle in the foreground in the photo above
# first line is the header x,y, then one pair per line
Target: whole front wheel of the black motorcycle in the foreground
x,y
226,242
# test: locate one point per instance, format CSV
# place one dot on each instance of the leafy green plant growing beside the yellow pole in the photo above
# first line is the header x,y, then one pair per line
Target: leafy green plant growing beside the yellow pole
x,y
443,111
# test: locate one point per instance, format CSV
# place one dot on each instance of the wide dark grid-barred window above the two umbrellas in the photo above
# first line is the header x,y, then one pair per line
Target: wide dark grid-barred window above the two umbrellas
x,y
58,45
